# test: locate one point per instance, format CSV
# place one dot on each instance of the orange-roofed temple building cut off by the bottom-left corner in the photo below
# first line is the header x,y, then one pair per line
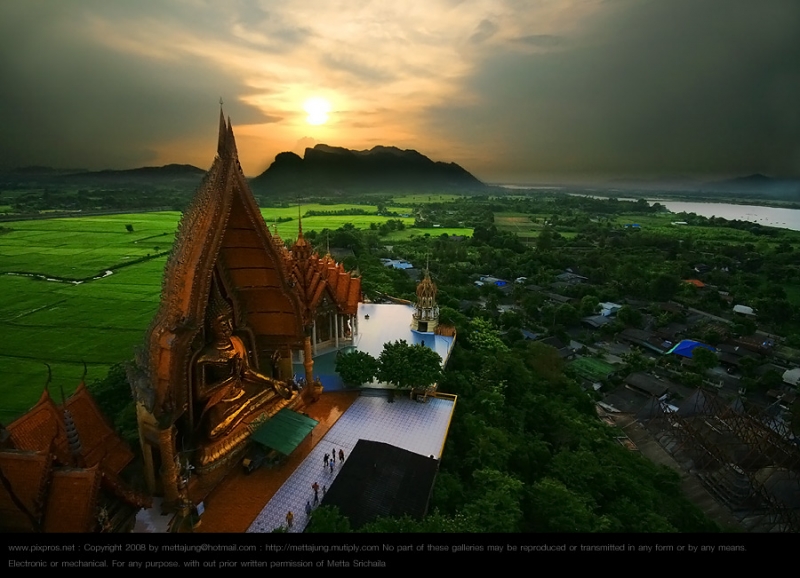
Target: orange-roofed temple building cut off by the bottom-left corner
x,y
63,469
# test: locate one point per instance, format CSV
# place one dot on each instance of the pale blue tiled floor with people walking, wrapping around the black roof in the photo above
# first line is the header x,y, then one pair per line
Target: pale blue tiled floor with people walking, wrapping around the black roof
x,y
417,427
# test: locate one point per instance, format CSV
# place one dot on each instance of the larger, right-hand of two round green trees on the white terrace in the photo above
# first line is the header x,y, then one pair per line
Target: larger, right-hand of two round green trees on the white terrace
x,y
408,366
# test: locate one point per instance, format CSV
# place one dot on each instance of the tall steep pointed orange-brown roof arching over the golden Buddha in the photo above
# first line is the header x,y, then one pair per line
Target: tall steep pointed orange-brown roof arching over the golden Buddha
x,y
223,233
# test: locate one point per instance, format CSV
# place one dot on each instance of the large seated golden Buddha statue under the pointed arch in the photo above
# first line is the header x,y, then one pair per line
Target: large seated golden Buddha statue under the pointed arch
x,y
226,385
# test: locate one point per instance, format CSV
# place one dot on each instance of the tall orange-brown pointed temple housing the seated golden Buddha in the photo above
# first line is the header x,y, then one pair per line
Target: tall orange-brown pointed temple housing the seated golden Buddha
x,y
236,309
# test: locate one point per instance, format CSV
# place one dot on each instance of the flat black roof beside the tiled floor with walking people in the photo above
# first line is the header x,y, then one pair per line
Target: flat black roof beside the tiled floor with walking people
x,y
378,479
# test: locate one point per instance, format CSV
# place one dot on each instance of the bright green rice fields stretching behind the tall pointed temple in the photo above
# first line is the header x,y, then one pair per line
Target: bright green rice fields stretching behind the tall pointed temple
x,y
58,304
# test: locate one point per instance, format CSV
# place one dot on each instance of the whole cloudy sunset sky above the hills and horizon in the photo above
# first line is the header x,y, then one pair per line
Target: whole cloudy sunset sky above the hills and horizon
x,y
513,90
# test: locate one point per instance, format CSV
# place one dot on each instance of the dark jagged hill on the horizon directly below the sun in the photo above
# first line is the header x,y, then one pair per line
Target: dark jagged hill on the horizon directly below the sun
x,y
327,168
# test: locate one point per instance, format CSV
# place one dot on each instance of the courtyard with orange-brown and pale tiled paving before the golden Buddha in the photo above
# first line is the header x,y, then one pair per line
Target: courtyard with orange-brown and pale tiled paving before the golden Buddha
x,y
260,501
